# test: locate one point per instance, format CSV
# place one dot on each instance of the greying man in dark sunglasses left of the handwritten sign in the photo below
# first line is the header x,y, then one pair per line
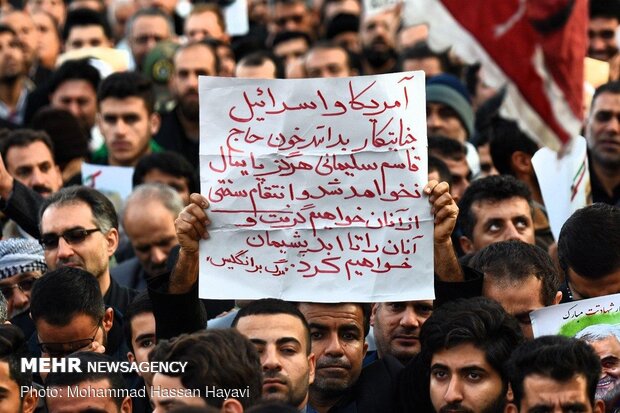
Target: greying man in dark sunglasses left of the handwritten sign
x,y
79,228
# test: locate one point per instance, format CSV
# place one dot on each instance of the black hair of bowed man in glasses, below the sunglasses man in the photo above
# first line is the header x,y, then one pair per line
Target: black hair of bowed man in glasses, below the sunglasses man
x,y
63,293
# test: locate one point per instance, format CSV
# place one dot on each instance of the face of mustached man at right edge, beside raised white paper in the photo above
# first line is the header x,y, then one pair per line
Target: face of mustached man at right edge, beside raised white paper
x,y
603,131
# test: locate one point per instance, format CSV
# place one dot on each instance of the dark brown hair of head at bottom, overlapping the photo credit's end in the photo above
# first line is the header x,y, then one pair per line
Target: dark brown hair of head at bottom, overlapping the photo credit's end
x,y
216,358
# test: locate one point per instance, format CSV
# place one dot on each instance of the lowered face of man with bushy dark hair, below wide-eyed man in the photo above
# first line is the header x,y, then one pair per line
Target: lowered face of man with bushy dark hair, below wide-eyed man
x,y
517,298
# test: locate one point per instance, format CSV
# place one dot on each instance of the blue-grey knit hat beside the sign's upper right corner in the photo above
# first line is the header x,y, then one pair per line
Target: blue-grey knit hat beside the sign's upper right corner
x,y
447,89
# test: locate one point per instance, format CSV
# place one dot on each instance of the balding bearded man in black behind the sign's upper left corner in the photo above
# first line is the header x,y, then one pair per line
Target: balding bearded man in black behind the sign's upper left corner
x,y
179,130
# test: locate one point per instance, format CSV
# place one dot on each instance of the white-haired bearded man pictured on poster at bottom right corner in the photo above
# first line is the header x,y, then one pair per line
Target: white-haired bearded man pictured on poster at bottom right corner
x,y
605,340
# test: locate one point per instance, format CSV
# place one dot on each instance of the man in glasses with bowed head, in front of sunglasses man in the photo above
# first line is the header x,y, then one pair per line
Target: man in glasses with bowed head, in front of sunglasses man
x,y
69,315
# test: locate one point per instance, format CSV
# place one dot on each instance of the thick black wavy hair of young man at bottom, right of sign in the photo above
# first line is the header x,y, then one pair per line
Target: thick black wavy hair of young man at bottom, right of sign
x,y
478,321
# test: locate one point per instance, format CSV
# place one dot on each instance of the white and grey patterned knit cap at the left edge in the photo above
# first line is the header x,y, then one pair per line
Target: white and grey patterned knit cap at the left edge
x,y
18,255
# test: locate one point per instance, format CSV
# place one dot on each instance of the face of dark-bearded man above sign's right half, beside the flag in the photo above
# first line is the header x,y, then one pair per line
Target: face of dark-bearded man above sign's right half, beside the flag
x,y
378,36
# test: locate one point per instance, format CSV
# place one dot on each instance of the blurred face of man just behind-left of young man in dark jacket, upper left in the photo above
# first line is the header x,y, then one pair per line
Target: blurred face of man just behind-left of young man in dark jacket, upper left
x,y
78,97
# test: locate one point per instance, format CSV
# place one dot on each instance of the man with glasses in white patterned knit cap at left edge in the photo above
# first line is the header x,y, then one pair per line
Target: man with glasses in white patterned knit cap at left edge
x,y
21,263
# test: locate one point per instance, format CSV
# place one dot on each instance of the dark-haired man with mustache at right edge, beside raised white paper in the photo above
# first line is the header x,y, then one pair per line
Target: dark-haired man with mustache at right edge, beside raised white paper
x,y
602,133
